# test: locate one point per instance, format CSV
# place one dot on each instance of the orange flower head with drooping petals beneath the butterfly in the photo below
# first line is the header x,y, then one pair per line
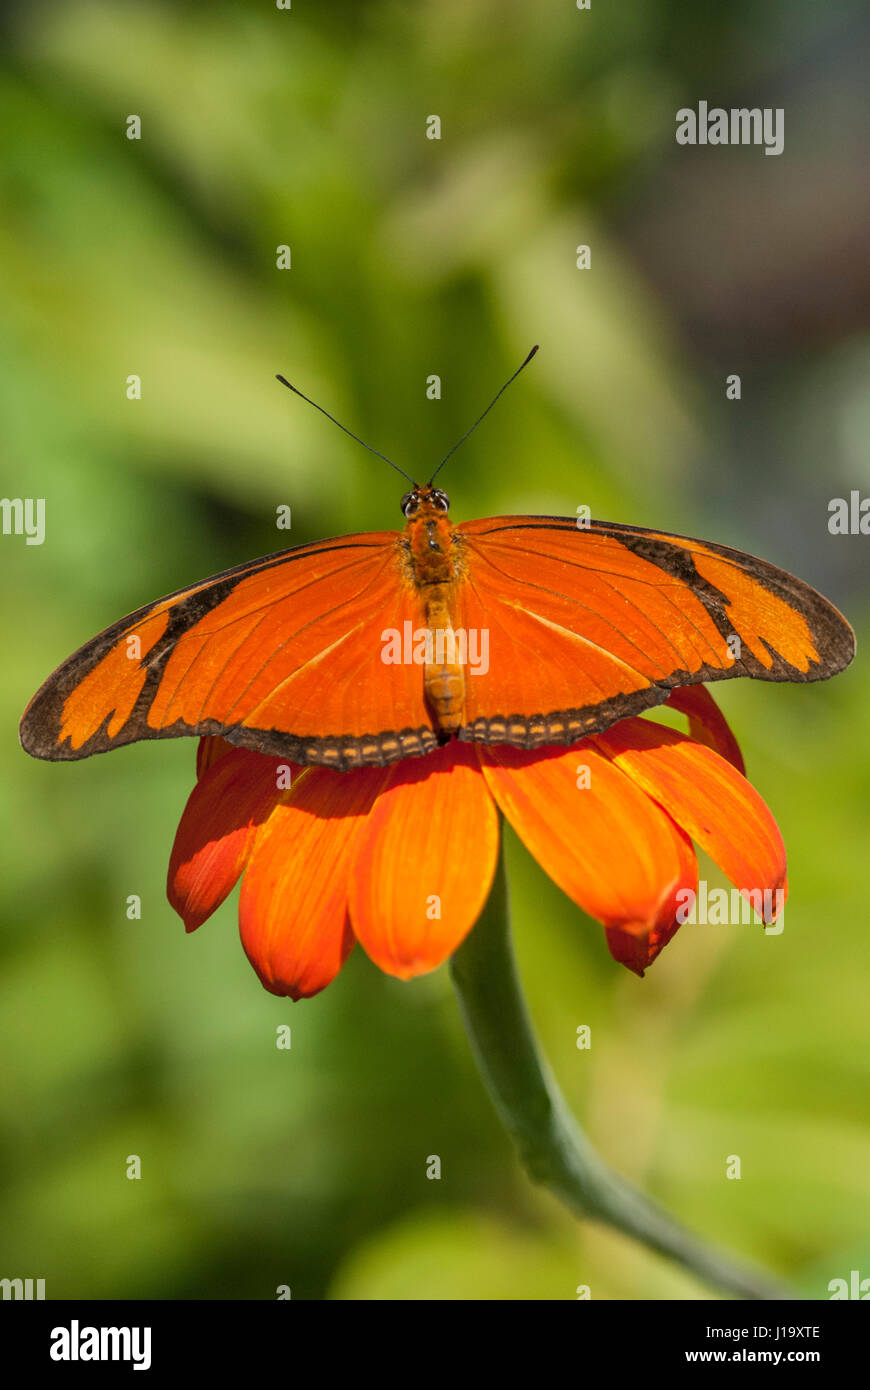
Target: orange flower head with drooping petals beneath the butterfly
x,y
402,858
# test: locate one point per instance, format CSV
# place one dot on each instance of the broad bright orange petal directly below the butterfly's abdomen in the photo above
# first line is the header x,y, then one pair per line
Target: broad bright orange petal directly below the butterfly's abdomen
x,y
426,861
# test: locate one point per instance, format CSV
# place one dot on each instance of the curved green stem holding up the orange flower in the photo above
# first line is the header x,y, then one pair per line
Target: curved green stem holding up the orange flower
x,y
552,1146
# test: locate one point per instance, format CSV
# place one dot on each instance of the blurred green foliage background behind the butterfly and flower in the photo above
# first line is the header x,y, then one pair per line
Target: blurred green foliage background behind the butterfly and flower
x,y
415,258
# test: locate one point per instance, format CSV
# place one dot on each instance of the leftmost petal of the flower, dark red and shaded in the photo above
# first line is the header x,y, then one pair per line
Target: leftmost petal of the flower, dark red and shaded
x,y
216,832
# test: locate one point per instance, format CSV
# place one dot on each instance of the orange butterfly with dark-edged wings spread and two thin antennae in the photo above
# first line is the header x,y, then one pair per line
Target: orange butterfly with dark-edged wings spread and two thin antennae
x,y
365,650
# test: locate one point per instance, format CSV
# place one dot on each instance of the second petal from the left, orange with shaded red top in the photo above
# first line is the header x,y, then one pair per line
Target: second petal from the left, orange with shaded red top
x,y
294,904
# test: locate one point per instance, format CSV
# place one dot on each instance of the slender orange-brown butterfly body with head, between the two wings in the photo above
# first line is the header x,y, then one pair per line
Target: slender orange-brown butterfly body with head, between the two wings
x,y
432,562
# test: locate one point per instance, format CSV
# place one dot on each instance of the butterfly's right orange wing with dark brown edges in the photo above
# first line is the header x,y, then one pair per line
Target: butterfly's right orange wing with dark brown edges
x,y
590,625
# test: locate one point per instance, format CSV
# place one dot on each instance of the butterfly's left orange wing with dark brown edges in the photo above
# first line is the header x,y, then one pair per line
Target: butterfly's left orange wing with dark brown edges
x,y
281,655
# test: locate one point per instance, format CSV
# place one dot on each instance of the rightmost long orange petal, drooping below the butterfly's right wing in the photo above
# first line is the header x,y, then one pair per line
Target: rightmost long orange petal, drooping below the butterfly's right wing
x,y
707,797
